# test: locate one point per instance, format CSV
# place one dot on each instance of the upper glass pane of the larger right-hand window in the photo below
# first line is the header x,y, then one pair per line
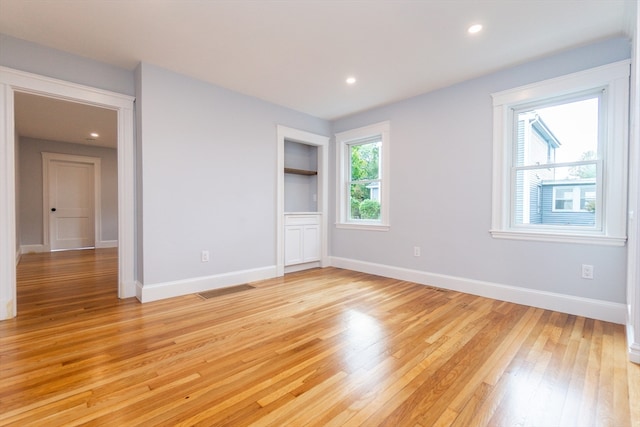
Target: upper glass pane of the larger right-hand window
x,y
561,133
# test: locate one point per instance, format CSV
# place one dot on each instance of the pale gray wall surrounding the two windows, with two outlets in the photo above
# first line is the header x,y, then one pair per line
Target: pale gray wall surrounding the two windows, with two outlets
x,y
441,170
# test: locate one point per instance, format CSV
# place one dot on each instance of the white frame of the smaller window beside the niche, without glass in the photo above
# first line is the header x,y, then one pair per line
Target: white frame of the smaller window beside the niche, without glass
x,y
343,141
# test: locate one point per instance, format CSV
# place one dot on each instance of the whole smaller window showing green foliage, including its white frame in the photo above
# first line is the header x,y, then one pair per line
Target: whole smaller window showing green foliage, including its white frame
x,y
363,169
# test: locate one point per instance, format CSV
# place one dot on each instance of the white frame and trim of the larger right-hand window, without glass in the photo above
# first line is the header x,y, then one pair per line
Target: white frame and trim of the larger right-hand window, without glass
x,y
614,78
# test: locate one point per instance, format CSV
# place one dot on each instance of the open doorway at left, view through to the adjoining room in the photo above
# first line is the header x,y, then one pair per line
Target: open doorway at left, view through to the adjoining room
x,y
54,137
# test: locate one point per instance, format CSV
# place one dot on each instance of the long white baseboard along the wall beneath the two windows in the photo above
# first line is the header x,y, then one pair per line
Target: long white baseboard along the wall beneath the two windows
x,y
586,307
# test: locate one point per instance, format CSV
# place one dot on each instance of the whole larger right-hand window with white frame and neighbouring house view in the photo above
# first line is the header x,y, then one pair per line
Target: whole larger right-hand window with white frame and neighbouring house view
x,y
560,150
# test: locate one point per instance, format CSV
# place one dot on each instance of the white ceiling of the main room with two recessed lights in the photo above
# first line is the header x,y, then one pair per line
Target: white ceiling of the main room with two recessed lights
x,y
298,53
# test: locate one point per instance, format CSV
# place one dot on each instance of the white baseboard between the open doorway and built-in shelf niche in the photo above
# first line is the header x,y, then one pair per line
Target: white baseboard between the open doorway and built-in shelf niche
x,y
157,291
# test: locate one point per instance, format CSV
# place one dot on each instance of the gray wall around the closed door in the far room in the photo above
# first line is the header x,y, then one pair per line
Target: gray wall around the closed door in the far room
x,y
30,186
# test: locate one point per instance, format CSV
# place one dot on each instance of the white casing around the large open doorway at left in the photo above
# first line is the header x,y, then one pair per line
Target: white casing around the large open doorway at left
x,y
12,81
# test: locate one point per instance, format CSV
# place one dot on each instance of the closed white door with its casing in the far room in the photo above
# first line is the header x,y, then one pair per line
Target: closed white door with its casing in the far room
x,y
71,201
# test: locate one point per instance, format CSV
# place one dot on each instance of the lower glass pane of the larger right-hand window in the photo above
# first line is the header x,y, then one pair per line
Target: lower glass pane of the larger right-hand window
x,y
541,199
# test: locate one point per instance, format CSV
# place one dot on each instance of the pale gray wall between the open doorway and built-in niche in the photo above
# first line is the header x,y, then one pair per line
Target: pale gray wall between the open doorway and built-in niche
x,y
208,174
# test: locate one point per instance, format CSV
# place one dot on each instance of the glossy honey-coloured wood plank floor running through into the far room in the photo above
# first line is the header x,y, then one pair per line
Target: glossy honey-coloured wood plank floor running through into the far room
x,y
324,347
